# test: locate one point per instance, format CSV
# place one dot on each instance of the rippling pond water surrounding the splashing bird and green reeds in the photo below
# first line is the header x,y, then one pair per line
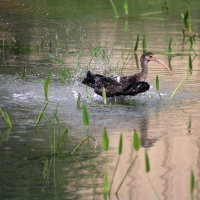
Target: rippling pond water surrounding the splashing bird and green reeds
x,y
42,37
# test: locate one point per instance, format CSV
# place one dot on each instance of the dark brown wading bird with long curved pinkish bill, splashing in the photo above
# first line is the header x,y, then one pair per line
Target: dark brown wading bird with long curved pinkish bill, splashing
x,y
126,85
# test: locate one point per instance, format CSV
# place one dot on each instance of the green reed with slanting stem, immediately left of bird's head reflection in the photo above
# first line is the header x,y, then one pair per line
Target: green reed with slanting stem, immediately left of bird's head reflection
x,y
136,146
